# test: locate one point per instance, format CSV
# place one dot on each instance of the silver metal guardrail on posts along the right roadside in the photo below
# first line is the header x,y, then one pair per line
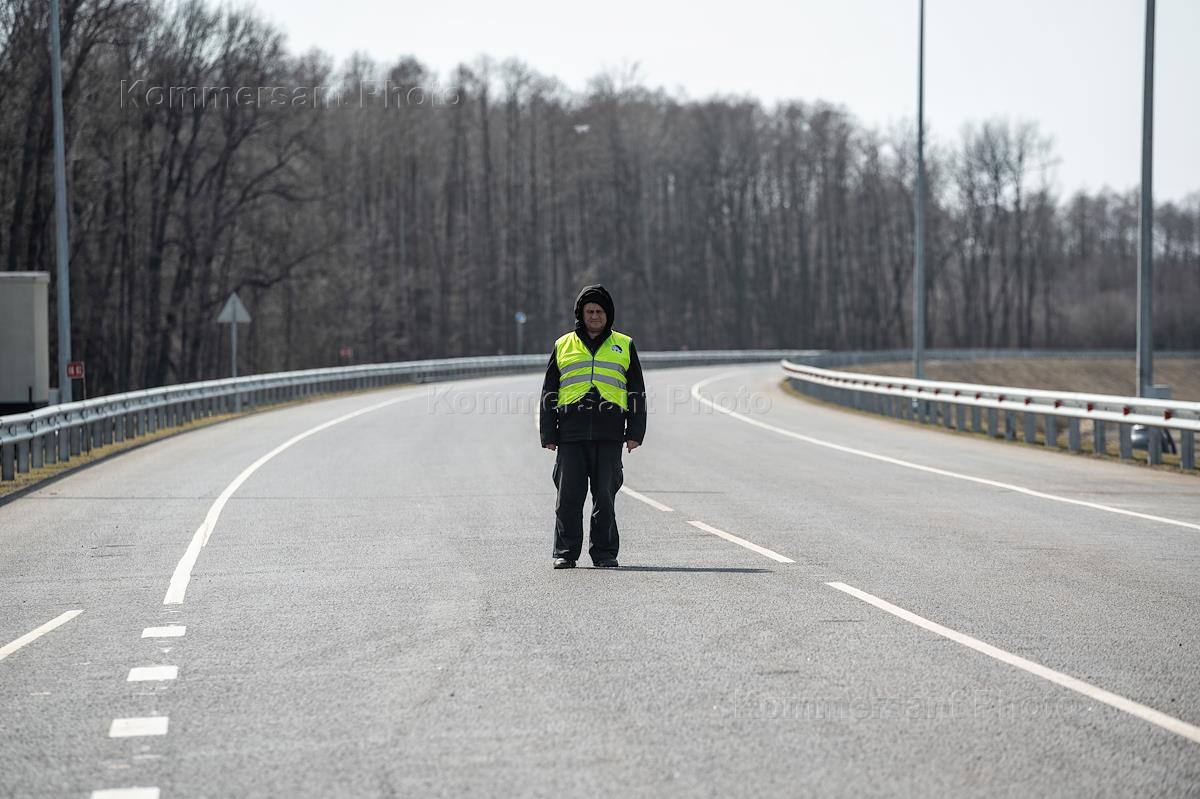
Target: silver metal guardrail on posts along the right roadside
x,y
933,401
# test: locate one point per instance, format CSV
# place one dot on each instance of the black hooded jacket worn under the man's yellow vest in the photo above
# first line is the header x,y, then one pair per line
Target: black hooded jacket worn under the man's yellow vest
x,y
593,419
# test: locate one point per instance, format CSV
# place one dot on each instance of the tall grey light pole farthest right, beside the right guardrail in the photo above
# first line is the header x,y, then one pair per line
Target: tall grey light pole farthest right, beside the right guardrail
x,y
1147,219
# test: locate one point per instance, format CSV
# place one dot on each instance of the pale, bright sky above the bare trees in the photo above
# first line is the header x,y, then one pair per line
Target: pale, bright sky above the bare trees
x,y
1072,67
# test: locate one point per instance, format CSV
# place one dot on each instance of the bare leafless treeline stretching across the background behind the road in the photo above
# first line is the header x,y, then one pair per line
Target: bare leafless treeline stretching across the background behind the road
x,y
370,214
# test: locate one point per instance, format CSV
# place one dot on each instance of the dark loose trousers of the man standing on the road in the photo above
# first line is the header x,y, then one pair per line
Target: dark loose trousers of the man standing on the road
x,y
578,466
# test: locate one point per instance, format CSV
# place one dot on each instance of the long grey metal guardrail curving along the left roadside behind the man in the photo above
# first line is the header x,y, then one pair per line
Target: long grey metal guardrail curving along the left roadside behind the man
x,y
61,432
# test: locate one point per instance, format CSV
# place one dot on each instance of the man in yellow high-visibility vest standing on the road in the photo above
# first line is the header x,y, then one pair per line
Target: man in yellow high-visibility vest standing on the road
x,y
592,401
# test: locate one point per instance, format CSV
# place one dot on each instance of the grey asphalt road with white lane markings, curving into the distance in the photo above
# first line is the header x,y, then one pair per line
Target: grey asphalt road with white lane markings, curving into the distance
x,y
374,614
